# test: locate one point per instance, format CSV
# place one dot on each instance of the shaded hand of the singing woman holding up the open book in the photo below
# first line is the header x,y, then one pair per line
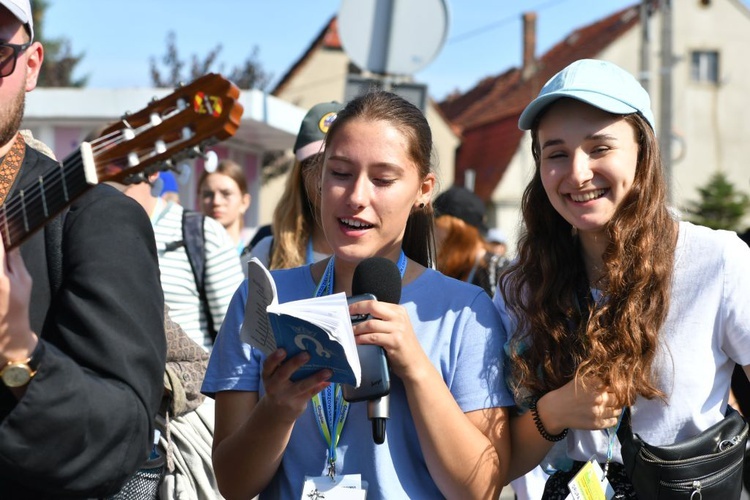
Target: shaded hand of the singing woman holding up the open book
x,y
289,399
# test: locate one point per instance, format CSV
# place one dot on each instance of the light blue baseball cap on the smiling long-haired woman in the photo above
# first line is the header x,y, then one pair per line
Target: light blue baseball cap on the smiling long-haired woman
x,y
601,84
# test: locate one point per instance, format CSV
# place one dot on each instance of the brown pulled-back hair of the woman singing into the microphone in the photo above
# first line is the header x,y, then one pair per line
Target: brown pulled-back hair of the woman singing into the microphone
x,y
419,240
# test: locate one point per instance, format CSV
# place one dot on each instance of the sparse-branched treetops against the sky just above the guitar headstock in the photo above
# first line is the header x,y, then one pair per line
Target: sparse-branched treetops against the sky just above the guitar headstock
x,y
168,70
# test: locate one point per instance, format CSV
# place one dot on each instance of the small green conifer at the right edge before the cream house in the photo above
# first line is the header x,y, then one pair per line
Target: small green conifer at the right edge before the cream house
x,y
721,206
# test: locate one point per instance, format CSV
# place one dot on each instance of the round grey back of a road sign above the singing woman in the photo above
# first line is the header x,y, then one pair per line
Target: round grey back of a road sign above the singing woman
x,y
393,36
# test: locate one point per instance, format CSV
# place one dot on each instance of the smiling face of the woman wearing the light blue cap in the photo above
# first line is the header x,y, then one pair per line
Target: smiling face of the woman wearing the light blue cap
x,y
588,161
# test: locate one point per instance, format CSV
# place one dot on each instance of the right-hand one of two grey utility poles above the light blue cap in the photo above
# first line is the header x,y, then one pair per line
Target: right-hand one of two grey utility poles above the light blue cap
x,y
665,93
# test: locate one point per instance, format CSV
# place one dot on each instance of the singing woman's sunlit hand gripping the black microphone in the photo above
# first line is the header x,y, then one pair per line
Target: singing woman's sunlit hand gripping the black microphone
x,y
390,328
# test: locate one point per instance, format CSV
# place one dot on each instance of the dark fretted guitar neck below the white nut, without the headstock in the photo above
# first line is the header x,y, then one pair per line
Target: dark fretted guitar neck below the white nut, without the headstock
x,y
32,206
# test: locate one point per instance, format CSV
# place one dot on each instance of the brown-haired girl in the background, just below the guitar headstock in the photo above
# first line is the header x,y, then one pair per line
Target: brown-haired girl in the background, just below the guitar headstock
x,y
223,194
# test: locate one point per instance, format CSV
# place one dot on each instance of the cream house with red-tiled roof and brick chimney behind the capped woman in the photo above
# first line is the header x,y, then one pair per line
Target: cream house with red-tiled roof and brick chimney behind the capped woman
x,y
709,83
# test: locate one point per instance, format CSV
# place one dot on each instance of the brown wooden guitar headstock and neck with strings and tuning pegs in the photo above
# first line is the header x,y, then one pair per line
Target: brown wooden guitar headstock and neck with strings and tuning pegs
x,y
168,130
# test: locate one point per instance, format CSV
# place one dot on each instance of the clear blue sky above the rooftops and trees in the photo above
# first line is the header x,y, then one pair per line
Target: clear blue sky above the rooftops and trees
x,y
119,37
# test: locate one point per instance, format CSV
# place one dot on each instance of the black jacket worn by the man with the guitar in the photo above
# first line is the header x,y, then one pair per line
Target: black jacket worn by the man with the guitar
x,y
86,421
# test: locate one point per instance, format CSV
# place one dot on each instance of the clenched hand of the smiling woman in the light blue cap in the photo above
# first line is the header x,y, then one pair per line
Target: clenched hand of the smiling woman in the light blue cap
x,y
579,404
